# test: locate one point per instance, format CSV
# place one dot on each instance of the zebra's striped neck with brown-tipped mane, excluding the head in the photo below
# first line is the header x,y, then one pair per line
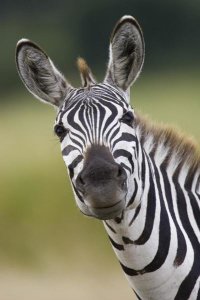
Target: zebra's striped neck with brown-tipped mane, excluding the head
x,y
158,242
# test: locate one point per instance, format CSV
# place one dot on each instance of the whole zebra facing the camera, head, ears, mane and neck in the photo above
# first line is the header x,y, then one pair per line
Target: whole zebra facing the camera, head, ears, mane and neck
x,y
141,179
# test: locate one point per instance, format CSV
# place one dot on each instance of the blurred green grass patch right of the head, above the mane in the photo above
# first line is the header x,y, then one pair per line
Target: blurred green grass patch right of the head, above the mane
x,y
172,98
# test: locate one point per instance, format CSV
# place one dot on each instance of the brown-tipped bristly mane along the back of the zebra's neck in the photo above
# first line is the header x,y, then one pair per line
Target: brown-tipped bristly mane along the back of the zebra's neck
x,y
184,149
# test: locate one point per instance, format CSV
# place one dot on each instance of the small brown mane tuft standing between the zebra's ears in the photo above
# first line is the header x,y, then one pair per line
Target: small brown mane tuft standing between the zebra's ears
x,y
87,78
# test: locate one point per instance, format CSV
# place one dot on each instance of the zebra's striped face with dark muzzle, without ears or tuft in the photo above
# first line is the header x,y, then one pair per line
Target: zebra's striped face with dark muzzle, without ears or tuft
x,y
96,130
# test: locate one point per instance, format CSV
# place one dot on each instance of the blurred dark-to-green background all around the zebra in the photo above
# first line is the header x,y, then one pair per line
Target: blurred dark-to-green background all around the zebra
x,y
48,250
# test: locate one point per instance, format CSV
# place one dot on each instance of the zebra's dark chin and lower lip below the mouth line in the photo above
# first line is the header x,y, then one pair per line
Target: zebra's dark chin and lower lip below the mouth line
x,y
108,212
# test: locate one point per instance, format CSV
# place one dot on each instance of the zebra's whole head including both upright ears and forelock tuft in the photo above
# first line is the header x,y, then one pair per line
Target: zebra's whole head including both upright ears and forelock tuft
x,y
95,123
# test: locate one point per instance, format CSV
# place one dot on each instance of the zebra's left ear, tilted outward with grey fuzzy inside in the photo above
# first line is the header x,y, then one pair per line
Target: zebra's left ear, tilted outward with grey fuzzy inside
x,y
39,74
